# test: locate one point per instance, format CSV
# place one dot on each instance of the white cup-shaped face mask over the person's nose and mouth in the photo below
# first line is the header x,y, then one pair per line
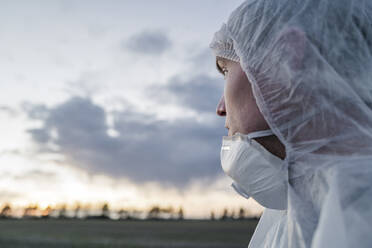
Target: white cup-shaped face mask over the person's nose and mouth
x,y
256,172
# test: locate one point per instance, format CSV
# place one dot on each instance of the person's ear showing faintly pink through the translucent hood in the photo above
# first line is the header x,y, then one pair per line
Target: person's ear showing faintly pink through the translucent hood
x,y
292,41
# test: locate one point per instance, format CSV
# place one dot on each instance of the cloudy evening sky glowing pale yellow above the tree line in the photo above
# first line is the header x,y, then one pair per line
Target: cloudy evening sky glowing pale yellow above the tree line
x,y
113,101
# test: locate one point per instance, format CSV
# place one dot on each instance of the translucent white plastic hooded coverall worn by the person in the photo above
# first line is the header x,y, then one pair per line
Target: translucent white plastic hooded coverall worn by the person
x,y
310,67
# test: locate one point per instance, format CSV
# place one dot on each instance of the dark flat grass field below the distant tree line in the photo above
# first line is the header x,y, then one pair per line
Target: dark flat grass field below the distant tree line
x,y
131,234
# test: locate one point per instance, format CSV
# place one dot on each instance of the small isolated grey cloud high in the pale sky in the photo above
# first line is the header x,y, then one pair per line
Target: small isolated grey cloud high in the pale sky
x,y
149,42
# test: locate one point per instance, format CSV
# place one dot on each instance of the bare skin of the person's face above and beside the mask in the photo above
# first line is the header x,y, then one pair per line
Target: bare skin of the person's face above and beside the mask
x,y
240,109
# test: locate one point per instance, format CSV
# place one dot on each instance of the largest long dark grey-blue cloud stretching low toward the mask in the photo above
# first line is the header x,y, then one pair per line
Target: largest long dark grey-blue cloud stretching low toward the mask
x,y
146,149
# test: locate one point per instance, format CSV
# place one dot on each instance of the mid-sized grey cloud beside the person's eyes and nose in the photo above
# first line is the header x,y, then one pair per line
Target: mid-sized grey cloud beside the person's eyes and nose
x,y
200,93
